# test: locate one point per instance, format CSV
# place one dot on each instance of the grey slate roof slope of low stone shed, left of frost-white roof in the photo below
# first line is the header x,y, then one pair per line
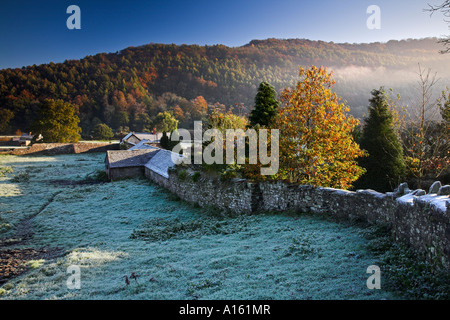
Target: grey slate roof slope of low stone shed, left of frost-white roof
x,y
129,158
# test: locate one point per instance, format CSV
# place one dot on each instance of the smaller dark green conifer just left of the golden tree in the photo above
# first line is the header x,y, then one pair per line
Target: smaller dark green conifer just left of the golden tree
x,y
266,105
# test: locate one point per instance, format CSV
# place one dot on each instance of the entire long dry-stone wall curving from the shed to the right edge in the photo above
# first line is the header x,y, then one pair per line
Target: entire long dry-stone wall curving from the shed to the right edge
x,y
420,224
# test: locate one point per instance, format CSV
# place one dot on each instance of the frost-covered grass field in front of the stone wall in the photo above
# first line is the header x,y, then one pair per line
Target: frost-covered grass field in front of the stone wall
x,y
179,252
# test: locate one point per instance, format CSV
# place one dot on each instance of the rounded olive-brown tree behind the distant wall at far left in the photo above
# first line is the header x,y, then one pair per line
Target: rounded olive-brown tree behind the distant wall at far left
x,y
57,122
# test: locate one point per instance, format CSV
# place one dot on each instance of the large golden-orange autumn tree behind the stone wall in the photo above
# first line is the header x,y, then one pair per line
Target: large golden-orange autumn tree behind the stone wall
x,y
316,143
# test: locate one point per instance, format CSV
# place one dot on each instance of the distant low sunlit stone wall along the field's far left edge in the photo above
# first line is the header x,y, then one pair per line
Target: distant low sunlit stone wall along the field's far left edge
x,y
65,148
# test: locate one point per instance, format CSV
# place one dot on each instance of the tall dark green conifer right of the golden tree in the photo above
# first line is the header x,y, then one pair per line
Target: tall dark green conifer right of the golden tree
x,y
384,164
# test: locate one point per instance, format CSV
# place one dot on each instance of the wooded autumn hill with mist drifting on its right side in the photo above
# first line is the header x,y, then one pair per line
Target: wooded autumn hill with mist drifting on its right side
x,y
128,88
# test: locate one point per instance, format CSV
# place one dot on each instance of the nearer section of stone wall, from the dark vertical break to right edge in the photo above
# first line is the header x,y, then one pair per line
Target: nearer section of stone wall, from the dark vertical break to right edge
x,y
420,224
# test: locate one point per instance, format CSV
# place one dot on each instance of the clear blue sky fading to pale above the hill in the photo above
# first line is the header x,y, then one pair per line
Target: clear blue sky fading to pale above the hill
x,y
35,32
